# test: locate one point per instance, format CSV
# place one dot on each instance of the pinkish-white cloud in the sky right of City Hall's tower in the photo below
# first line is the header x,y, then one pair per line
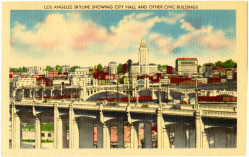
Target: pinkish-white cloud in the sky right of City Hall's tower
x,y
206,36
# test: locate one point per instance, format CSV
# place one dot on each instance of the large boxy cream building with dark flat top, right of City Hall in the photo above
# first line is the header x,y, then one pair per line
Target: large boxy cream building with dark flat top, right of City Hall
x,y
186,66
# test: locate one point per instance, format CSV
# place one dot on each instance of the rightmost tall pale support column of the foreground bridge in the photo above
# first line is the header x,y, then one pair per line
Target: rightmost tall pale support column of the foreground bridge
x,y
198,129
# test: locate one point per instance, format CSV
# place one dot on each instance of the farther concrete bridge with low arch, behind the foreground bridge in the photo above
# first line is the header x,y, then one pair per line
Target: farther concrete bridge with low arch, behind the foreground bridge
x,y
85,91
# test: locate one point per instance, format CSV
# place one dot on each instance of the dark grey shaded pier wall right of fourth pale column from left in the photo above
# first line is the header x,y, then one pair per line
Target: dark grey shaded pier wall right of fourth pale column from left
x,y
86,133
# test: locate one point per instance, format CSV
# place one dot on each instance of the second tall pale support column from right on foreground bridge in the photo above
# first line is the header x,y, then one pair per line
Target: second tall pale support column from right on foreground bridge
x,y
160,123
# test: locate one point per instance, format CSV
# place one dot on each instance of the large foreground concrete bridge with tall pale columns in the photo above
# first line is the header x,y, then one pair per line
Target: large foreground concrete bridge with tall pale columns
x,y
204,125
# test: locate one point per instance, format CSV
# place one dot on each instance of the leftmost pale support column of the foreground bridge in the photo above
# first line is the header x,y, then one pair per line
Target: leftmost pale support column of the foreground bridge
x,y
16,129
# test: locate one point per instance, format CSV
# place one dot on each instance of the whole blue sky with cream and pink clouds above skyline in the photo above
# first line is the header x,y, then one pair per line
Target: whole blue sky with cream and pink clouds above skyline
x,y
91,37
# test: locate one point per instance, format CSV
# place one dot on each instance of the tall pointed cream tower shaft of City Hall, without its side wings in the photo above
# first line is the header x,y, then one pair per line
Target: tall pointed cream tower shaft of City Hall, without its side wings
x,y
143,56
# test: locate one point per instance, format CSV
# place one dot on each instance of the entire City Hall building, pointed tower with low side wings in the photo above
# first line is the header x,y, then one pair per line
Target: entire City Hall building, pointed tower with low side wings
x,y
143,67
